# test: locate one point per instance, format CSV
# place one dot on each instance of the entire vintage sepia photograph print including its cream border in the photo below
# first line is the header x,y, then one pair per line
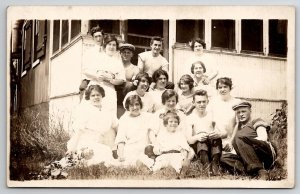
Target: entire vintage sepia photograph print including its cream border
x,y
151,96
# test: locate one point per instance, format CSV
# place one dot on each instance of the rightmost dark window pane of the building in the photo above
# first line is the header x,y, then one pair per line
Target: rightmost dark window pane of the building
x,y
278,37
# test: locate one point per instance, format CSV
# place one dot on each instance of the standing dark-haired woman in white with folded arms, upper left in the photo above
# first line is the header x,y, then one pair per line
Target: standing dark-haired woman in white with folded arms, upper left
x,y
107,70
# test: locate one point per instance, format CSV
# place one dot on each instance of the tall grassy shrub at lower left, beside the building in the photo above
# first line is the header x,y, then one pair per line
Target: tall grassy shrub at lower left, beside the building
x,y
33,144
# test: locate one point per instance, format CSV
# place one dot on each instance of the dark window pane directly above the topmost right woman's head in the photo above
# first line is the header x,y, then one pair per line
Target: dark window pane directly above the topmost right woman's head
x,y
186,30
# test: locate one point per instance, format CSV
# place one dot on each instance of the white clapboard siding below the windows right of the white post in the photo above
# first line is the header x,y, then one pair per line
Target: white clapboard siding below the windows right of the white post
x,y
253,77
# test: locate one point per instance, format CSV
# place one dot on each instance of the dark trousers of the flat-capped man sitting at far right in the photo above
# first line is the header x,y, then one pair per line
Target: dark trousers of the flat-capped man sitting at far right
x,y
254,154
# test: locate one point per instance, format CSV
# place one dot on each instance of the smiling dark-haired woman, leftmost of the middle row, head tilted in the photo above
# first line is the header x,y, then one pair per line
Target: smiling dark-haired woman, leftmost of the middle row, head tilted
x,y
141,85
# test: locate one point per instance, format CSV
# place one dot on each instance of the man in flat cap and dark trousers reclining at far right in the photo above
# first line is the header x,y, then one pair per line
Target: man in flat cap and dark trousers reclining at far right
x,y
251,143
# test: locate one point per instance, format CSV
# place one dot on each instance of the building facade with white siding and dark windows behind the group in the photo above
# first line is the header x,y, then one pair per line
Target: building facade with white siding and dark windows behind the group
x,y
47,58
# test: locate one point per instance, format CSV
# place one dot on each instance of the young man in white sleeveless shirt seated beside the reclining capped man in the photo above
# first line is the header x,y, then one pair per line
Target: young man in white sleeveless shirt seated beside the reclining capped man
x,y
202,134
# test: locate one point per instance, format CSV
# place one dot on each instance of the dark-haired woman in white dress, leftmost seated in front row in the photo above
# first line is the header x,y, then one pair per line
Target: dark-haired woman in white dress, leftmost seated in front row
x,y
94,129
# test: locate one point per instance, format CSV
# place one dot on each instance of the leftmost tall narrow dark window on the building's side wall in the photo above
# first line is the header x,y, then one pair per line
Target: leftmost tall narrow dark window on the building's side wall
x,y
27,45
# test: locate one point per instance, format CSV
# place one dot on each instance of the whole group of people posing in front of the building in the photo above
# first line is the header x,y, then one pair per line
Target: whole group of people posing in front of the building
x,y
133,115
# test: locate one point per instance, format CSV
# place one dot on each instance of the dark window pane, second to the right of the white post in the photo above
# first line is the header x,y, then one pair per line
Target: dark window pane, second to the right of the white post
x,y
223,34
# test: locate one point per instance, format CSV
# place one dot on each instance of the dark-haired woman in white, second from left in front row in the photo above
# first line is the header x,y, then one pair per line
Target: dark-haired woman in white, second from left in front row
x,y
132,136
